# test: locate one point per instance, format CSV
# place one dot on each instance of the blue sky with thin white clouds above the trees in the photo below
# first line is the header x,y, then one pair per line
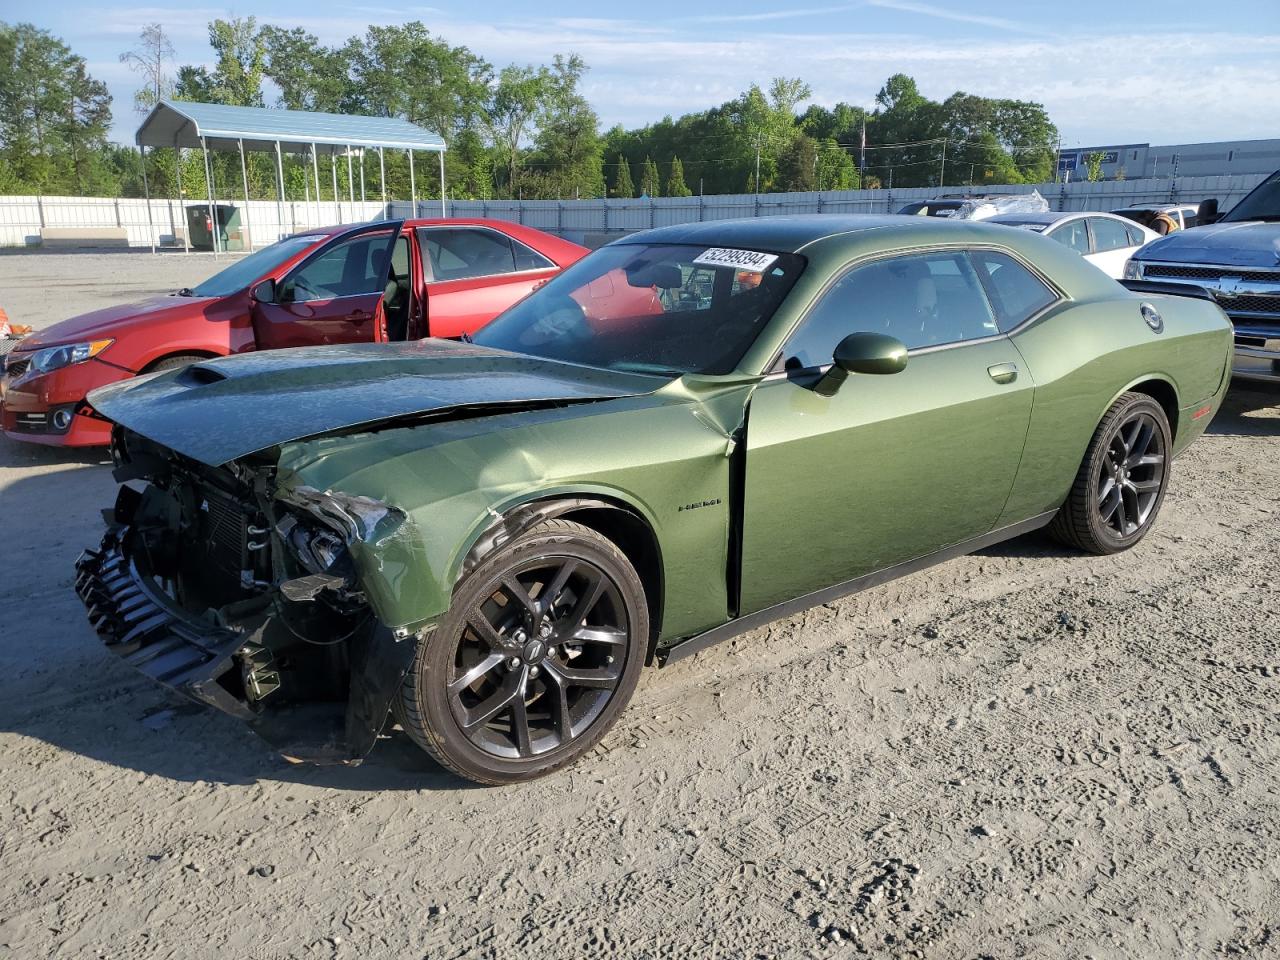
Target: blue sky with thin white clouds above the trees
x,y
1108,72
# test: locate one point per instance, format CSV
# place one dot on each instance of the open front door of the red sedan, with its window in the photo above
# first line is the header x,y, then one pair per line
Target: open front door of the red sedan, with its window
x,y
335,295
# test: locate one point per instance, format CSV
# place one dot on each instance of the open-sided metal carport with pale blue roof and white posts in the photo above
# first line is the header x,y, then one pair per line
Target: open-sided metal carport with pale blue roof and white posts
x,y
184,125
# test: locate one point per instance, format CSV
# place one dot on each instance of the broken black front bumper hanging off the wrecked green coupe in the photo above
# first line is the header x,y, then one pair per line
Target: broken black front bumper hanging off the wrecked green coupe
x,y
228,669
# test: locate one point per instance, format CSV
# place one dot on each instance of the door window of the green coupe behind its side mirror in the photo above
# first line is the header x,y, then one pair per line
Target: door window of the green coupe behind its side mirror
x,y
924,300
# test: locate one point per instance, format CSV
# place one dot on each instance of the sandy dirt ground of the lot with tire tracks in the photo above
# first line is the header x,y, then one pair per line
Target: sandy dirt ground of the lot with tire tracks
x,y
1021,753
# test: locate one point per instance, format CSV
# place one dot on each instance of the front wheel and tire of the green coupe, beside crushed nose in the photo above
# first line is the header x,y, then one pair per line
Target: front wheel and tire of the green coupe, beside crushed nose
x,y
538,656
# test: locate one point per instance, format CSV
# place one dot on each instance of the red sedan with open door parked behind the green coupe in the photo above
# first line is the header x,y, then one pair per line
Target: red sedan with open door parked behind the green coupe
x,y
388,281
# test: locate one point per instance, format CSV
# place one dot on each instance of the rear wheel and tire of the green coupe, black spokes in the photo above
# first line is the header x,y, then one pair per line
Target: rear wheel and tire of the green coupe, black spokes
x,y
1121,486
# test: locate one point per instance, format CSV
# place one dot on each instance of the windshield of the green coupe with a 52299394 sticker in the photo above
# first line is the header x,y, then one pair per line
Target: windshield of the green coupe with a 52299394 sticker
x,y
648,308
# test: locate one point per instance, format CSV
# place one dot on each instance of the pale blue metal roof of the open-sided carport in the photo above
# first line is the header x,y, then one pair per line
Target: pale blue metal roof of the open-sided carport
x,y
180,124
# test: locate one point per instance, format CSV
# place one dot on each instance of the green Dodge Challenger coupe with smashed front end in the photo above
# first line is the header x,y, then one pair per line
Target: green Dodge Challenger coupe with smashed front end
x,y
687,435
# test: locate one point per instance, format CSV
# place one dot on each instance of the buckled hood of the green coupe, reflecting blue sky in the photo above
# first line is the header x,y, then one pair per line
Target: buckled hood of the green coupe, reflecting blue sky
x,y
220,410
